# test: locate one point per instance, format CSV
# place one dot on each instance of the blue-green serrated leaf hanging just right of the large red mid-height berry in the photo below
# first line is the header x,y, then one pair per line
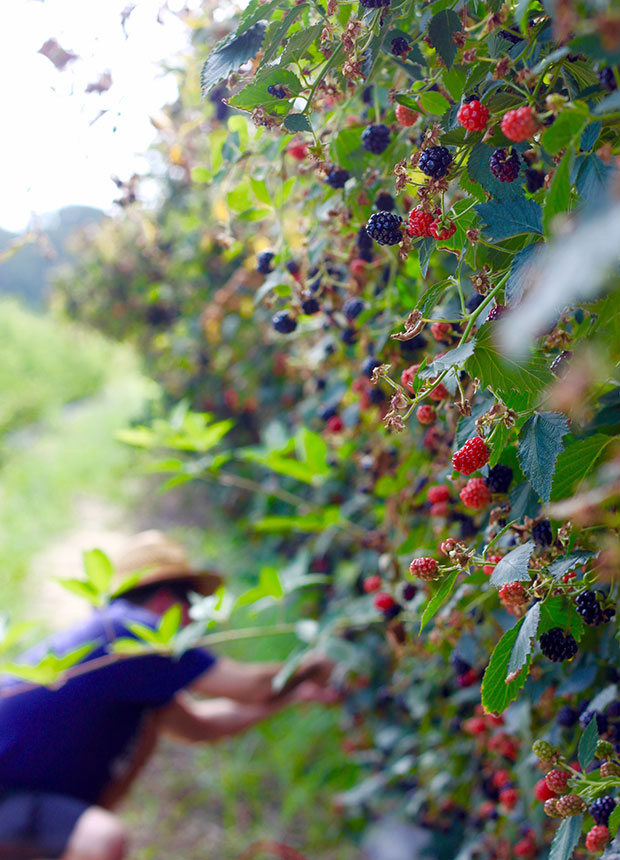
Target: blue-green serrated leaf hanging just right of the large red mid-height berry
x,y
540,442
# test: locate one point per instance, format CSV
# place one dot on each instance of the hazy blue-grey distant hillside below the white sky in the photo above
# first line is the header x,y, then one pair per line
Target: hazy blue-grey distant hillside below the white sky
x,y
25,275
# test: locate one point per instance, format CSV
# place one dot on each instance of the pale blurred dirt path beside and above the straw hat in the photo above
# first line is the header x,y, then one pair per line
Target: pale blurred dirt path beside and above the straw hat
x,y
102,526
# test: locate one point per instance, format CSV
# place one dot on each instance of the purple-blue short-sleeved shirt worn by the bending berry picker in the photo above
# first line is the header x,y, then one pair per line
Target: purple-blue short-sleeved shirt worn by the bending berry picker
x,y
68,740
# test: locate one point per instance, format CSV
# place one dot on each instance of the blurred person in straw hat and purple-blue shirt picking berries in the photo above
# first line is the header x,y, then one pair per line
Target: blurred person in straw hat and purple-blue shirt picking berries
x,y
69,753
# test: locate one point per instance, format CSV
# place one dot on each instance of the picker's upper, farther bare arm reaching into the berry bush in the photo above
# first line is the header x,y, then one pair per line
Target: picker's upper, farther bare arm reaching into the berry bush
x,y
252,683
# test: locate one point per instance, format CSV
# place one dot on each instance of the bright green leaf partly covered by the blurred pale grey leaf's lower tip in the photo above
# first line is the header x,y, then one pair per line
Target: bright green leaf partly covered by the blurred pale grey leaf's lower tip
x,y
505,375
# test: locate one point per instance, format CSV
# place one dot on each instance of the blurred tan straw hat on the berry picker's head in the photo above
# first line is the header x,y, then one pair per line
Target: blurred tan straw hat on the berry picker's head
x,y
155,557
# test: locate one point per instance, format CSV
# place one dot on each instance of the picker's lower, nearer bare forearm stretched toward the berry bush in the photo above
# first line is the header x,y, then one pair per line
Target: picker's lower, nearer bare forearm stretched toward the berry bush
x,y
209,720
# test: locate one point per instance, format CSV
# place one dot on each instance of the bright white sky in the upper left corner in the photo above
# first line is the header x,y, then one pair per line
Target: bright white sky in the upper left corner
x,y
50,153
